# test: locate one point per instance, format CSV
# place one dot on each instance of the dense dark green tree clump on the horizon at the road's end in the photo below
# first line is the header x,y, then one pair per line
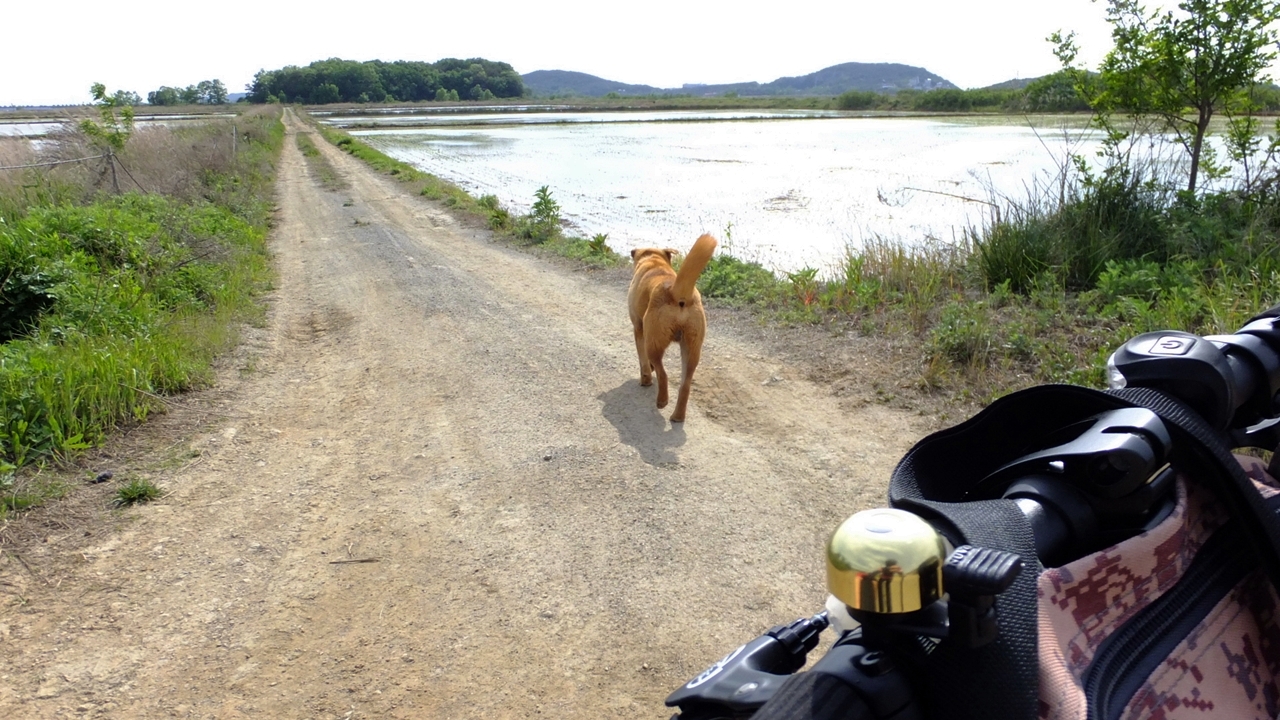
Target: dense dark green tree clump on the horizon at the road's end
x,y
374,81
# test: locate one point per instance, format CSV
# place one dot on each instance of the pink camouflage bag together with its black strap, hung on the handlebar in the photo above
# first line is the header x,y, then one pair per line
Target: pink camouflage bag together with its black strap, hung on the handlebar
x,y
1172,623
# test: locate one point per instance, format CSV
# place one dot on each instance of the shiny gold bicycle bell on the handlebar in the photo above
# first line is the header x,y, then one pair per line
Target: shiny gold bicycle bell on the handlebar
x,y
885,562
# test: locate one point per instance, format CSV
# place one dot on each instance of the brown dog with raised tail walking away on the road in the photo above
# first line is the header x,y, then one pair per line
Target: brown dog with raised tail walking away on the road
x,y
668,308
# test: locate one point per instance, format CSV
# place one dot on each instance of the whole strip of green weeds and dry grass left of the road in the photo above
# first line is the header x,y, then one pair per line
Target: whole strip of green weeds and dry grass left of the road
x,y
125,270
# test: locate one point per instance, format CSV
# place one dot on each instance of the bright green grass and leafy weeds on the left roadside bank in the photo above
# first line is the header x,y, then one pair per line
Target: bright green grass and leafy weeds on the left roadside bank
x,y
140,294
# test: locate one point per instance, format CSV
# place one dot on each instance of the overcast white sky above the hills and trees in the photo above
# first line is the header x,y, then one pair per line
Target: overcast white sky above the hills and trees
x,y
51,53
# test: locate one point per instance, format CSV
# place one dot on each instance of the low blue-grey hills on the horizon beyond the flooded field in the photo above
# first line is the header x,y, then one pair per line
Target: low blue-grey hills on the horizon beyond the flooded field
x,y
881,78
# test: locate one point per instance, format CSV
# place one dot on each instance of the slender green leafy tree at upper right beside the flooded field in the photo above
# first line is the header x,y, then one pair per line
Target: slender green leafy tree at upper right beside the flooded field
x,y
1182,67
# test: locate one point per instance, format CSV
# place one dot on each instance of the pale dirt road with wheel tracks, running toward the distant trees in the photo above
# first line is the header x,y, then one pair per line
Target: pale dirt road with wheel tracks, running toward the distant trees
x,y
433,487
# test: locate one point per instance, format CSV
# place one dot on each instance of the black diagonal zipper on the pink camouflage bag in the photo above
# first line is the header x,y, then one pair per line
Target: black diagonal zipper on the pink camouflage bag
x,y
1132,654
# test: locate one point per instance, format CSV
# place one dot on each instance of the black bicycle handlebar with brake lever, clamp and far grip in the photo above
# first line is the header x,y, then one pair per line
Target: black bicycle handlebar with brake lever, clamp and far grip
x,y
1113,472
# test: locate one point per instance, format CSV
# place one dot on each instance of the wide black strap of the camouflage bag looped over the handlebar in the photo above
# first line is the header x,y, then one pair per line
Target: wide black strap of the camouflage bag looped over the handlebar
x,y
1002,681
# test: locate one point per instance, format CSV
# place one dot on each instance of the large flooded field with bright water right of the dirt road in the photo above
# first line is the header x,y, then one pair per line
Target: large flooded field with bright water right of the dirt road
x,y
792,189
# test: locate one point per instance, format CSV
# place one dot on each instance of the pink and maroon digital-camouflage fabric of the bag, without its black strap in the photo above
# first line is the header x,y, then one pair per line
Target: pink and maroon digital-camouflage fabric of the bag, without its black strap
x,y
1177,623
